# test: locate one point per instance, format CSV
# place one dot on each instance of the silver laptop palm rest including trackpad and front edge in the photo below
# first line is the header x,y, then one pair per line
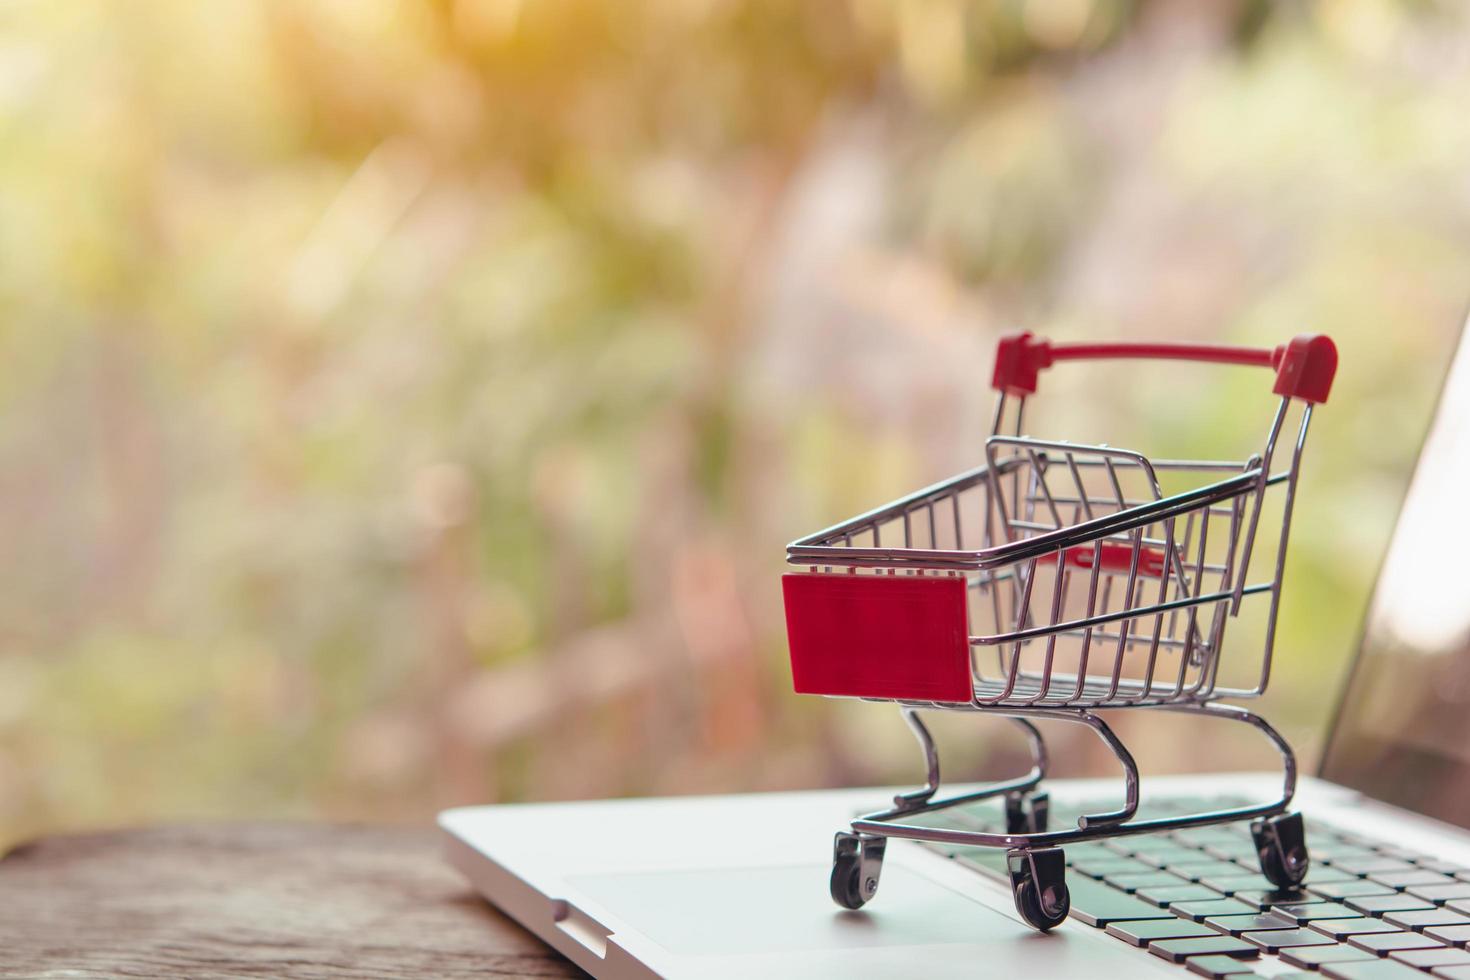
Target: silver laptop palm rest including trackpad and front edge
x,y
655,893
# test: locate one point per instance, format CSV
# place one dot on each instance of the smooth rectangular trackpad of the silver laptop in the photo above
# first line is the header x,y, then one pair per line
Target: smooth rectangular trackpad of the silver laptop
x,y
730,912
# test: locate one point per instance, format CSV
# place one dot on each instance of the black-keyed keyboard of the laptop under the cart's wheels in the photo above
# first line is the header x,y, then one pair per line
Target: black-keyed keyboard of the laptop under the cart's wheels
x,y
1196,897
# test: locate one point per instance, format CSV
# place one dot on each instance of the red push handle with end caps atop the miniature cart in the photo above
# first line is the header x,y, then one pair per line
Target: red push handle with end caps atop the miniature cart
x,y
1305,367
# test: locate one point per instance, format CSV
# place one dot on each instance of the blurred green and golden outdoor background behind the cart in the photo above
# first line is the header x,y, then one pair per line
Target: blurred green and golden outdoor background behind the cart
x,y
406,403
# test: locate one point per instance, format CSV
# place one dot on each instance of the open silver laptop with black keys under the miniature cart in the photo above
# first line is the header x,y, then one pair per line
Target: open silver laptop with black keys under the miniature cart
x,y
739,887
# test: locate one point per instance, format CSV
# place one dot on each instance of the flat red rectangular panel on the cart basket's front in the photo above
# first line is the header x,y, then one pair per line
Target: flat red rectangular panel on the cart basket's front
x,y
880,637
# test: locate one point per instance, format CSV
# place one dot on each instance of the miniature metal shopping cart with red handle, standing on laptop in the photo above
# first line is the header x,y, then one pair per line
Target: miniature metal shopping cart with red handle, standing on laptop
x,y
1053,583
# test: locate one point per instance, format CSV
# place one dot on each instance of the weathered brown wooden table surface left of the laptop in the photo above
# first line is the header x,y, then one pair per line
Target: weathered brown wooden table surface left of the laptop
x,y
254,900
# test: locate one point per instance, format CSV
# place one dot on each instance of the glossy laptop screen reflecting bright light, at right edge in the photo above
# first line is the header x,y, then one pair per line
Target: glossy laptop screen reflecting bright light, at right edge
x,y
1403,729
